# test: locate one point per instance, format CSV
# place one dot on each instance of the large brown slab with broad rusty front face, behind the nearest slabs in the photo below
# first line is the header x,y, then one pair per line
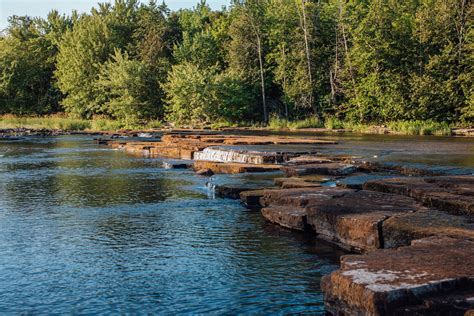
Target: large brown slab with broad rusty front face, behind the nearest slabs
x,y
354,220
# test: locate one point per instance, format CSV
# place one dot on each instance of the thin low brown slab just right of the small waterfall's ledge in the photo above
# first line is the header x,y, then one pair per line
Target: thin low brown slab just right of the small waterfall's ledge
x,y
333,168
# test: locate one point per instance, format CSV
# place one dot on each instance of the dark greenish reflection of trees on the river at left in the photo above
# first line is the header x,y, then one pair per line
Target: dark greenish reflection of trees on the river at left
x,y
82,177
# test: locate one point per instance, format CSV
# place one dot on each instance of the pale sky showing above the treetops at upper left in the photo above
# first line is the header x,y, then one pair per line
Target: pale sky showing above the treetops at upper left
x,y
42,7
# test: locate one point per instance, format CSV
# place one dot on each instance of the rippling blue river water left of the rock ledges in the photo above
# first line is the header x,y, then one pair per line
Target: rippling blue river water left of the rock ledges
x,y
85,229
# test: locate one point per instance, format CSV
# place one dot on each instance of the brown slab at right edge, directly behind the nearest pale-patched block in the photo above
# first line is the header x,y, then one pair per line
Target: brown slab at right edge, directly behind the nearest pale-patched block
x,y
402,229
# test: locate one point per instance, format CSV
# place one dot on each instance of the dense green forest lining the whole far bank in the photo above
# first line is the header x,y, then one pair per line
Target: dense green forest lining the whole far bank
x,y
368,61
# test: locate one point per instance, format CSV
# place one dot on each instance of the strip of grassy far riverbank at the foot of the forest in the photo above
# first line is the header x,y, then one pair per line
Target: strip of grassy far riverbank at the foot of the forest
x,y
57,124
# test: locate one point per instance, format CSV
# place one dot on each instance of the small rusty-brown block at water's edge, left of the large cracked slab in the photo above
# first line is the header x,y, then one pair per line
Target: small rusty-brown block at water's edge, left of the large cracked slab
x,y
288,217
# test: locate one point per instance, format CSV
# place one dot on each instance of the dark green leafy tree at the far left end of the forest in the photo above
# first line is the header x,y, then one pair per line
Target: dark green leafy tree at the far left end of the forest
x,y
26,68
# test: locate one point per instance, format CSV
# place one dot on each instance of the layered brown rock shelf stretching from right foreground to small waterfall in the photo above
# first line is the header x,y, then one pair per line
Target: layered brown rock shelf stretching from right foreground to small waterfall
x,y
413,228
